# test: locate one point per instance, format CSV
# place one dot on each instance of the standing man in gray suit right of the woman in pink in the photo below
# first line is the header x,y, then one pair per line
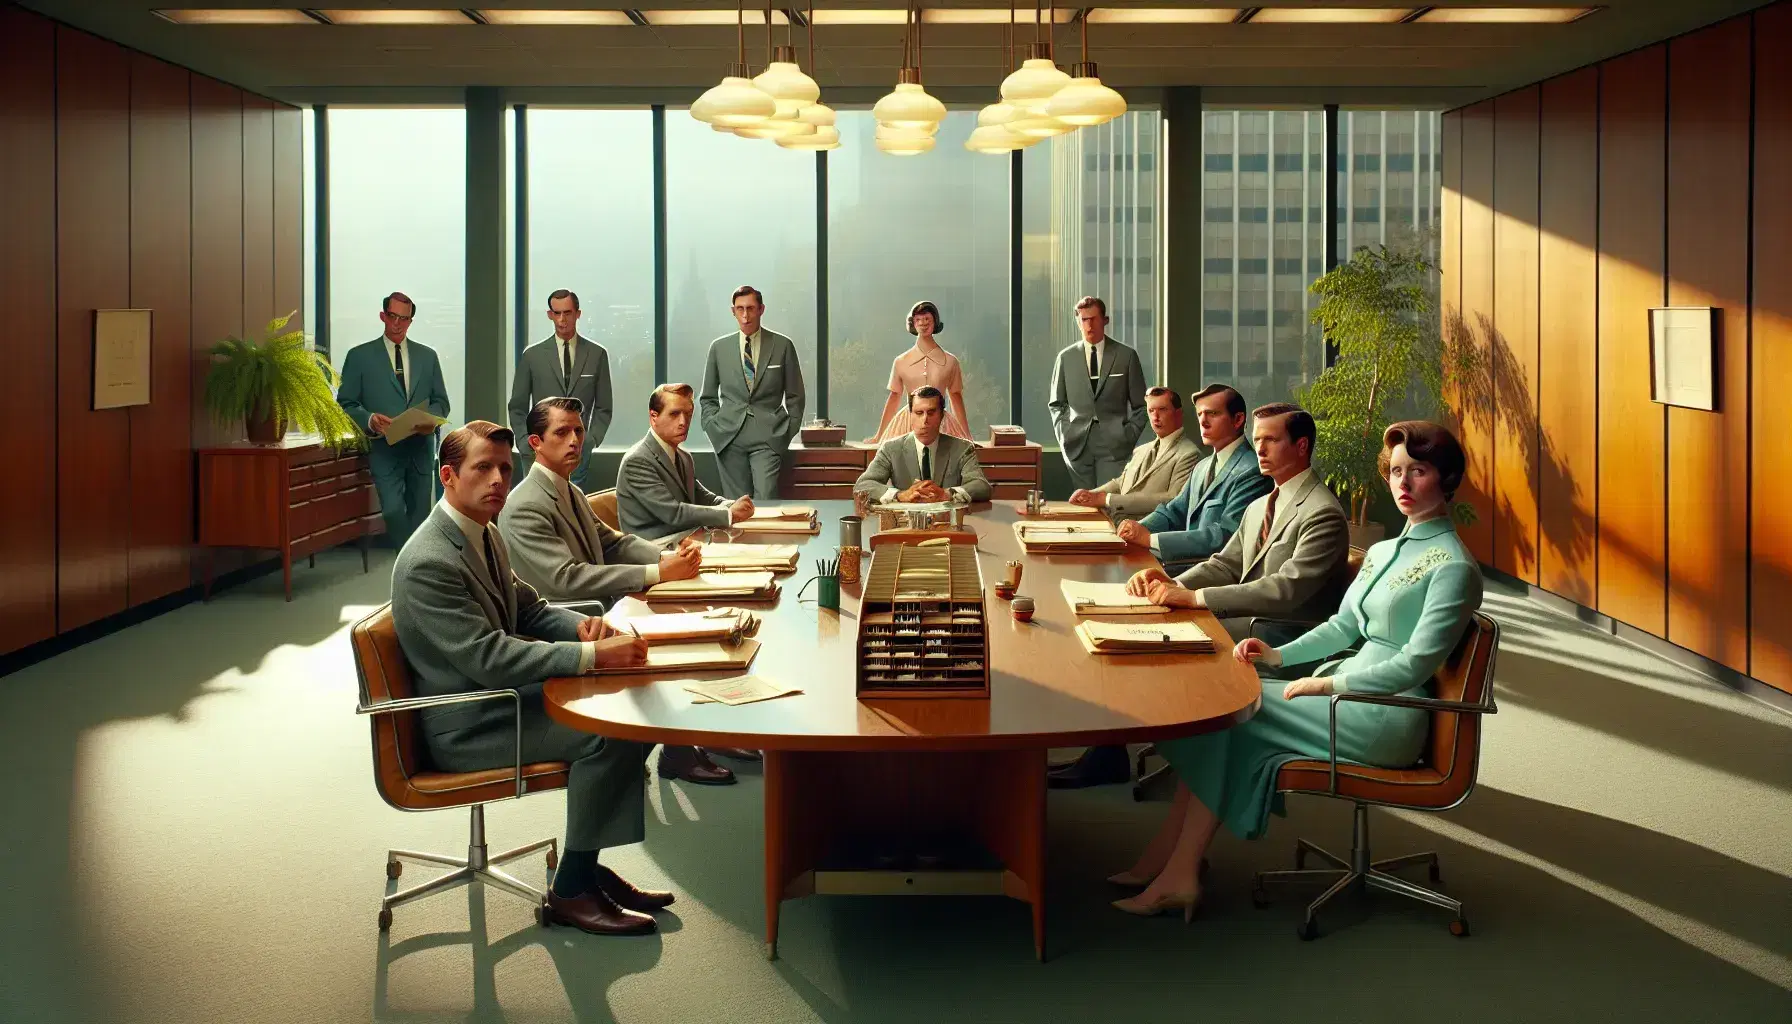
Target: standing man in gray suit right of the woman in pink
x,y
1098,401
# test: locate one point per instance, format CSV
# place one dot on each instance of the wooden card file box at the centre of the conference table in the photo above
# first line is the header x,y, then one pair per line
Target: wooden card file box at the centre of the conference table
x,y
922,623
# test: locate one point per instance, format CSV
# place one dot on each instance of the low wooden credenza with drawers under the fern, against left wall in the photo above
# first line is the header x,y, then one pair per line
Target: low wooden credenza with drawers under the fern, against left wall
x,y
295,498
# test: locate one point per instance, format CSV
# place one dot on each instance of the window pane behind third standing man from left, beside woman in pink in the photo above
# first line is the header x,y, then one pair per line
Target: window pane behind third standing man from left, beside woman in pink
x,y
739,213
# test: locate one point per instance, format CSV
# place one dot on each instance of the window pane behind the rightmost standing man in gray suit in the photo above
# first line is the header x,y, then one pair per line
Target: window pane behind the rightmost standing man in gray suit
x,y
1092,227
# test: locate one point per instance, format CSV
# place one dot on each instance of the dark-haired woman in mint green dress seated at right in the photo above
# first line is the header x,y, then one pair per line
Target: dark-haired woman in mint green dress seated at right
x,y
1409,607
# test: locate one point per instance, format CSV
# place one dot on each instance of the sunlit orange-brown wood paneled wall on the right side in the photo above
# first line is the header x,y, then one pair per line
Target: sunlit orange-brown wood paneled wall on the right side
x,y
1655,178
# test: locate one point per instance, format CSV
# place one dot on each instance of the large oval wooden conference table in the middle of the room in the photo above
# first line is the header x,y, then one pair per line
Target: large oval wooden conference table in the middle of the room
x,y
841,772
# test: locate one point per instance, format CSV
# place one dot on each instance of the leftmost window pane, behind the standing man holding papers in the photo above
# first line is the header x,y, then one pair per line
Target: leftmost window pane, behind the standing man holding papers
x,y
399,223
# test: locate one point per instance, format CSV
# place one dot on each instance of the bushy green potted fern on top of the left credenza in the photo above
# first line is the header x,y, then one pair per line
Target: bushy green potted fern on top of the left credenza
x,y
277,385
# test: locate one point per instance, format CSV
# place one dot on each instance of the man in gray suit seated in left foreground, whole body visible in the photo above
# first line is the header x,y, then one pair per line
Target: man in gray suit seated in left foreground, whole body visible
x,y
469,625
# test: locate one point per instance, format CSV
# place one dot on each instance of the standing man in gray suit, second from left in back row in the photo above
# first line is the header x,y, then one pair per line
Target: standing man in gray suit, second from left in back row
x,y
565,365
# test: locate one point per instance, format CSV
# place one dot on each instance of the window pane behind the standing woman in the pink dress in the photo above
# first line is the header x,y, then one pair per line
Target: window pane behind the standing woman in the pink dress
x,y
909,229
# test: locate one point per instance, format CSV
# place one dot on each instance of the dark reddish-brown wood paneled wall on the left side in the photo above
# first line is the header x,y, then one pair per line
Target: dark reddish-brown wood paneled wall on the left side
x,y
130,184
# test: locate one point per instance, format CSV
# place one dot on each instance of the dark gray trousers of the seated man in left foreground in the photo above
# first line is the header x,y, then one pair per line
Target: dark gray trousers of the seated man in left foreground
x,y
605,792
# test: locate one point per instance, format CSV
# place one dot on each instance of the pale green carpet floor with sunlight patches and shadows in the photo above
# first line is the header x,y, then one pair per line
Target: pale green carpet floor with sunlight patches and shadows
x,y
193,835
